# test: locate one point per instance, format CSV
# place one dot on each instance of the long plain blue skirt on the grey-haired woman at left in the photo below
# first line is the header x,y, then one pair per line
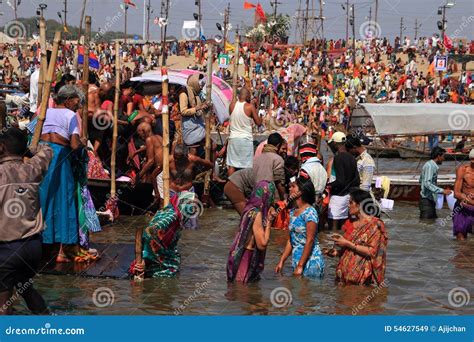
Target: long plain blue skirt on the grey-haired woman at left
x,y
57,197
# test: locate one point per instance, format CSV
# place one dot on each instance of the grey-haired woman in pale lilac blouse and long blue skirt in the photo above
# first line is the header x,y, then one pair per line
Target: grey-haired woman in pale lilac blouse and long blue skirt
x,y
60,194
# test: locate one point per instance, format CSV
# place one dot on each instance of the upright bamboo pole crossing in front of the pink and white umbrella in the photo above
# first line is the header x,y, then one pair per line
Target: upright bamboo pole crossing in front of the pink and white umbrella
x,y
166,137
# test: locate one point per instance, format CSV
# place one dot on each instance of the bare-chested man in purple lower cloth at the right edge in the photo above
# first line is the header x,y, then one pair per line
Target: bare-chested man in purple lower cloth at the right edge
x,y
463,213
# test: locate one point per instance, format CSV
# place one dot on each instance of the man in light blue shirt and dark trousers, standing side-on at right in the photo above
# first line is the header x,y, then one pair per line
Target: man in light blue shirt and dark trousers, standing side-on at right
x,y
429,188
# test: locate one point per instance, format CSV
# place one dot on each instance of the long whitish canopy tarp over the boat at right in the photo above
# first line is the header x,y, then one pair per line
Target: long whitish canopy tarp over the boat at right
x,y
414,118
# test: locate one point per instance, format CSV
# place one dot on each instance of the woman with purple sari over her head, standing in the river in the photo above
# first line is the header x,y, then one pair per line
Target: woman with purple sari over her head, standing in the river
x,y
247,254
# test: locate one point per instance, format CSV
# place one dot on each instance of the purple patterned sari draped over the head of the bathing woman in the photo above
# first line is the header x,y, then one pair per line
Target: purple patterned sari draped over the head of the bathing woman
x,y
244,264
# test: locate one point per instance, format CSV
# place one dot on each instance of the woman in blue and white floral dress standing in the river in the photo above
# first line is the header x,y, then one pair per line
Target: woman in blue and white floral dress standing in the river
x,y
303,245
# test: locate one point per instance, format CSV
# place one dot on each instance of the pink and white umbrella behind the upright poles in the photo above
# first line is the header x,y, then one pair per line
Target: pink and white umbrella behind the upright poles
x,y
221,90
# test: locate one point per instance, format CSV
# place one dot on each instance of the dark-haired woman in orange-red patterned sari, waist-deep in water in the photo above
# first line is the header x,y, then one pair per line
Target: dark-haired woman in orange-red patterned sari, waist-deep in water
x,y
364,244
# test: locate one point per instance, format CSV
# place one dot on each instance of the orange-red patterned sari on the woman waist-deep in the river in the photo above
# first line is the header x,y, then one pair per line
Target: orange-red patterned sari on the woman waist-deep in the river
x,y
356,269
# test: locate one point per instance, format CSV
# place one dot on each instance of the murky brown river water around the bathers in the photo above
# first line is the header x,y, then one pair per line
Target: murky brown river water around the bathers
x,y
424,264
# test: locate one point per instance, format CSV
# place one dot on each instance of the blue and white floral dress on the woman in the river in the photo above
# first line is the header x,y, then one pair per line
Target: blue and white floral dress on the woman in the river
x,y
314,266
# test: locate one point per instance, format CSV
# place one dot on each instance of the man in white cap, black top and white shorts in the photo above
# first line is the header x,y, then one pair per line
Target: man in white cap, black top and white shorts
x,y
343,175
